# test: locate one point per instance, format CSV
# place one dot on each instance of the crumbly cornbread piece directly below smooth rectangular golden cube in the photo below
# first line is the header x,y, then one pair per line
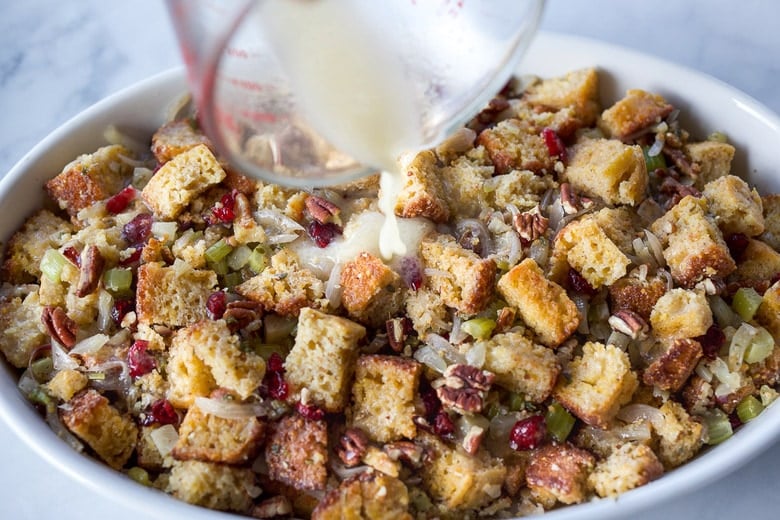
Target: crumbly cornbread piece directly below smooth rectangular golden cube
x,y
521,365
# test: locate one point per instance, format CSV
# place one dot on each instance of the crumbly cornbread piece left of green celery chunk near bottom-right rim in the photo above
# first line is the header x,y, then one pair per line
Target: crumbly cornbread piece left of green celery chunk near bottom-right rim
x,y
679,437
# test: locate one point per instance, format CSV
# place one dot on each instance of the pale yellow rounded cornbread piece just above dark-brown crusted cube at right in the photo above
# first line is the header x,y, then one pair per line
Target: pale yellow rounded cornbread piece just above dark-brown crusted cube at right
x,y
681,313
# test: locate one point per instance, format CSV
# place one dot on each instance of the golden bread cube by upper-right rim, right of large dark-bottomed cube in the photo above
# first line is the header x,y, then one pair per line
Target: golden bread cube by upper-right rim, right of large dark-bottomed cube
x,y
736,208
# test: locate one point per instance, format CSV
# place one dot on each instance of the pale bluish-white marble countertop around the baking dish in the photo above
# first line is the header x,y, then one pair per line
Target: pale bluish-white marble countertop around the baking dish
x,y
57,58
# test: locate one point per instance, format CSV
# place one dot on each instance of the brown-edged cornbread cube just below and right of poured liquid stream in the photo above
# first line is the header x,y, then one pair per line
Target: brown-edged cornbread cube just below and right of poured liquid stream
x,y
464,280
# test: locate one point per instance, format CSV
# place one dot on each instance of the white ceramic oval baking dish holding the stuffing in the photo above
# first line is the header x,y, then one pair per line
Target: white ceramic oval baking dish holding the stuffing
x,y
706,105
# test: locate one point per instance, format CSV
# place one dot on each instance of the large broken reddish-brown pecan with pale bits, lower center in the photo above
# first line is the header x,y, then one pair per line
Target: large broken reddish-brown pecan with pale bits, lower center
x,y
464,388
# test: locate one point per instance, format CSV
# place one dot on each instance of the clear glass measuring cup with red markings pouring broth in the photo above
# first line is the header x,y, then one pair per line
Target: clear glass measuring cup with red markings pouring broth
x,y
316,92
